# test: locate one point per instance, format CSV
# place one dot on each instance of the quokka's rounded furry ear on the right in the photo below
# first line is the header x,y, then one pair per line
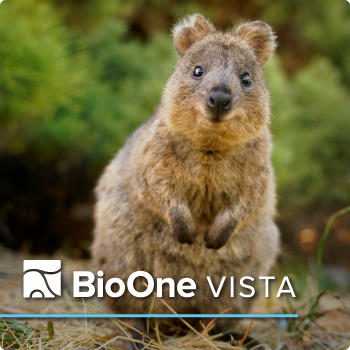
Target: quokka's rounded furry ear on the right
x,y
260,37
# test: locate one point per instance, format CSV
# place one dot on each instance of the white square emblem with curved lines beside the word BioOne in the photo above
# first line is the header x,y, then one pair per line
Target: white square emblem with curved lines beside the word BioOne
x,y
41,278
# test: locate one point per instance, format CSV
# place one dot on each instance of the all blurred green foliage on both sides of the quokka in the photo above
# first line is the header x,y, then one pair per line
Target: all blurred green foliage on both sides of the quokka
x,y
82,89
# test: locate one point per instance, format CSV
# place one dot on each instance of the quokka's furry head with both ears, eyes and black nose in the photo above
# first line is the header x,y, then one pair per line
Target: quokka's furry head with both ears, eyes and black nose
x,y
217,95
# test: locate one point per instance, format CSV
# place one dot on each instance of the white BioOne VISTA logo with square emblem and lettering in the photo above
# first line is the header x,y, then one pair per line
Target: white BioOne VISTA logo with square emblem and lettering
x,y
42,279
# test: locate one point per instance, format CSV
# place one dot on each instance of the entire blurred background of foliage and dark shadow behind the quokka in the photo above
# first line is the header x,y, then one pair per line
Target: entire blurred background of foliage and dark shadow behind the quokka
x,y
77,77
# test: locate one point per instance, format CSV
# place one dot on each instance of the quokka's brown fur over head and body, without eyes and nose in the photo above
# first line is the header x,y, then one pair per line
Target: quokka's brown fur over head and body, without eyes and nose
x,y
187,197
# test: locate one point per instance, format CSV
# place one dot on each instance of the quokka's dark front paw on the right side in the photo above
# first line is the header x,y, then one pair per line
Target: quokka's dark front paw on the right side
x,y
219,233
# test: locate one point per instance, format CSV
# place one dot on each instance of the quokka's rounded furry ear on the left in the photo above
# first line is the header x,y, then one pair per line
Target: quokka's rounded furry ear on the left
x,y
191,29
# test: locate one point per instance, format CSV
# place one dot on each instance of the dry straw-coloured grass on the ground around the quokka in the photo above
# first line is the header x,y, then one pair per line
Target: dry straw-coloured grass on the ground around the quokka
x,y
329,329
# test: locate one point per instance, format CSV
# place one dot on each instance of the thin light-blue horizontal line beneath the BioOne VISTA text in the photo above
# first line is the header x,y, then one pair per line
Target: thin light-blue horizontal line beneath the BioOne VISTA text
x,y
148,315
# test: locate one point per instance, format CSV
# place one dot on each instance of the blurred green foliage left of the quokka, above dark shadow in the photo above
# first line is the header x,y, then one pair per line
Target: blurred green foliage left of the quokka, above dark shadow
x,y
81,96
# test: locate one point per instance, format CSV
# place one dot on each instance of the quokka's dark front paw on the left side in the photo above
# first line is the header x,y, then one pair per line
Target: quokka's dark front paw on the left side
x,y
185,230
